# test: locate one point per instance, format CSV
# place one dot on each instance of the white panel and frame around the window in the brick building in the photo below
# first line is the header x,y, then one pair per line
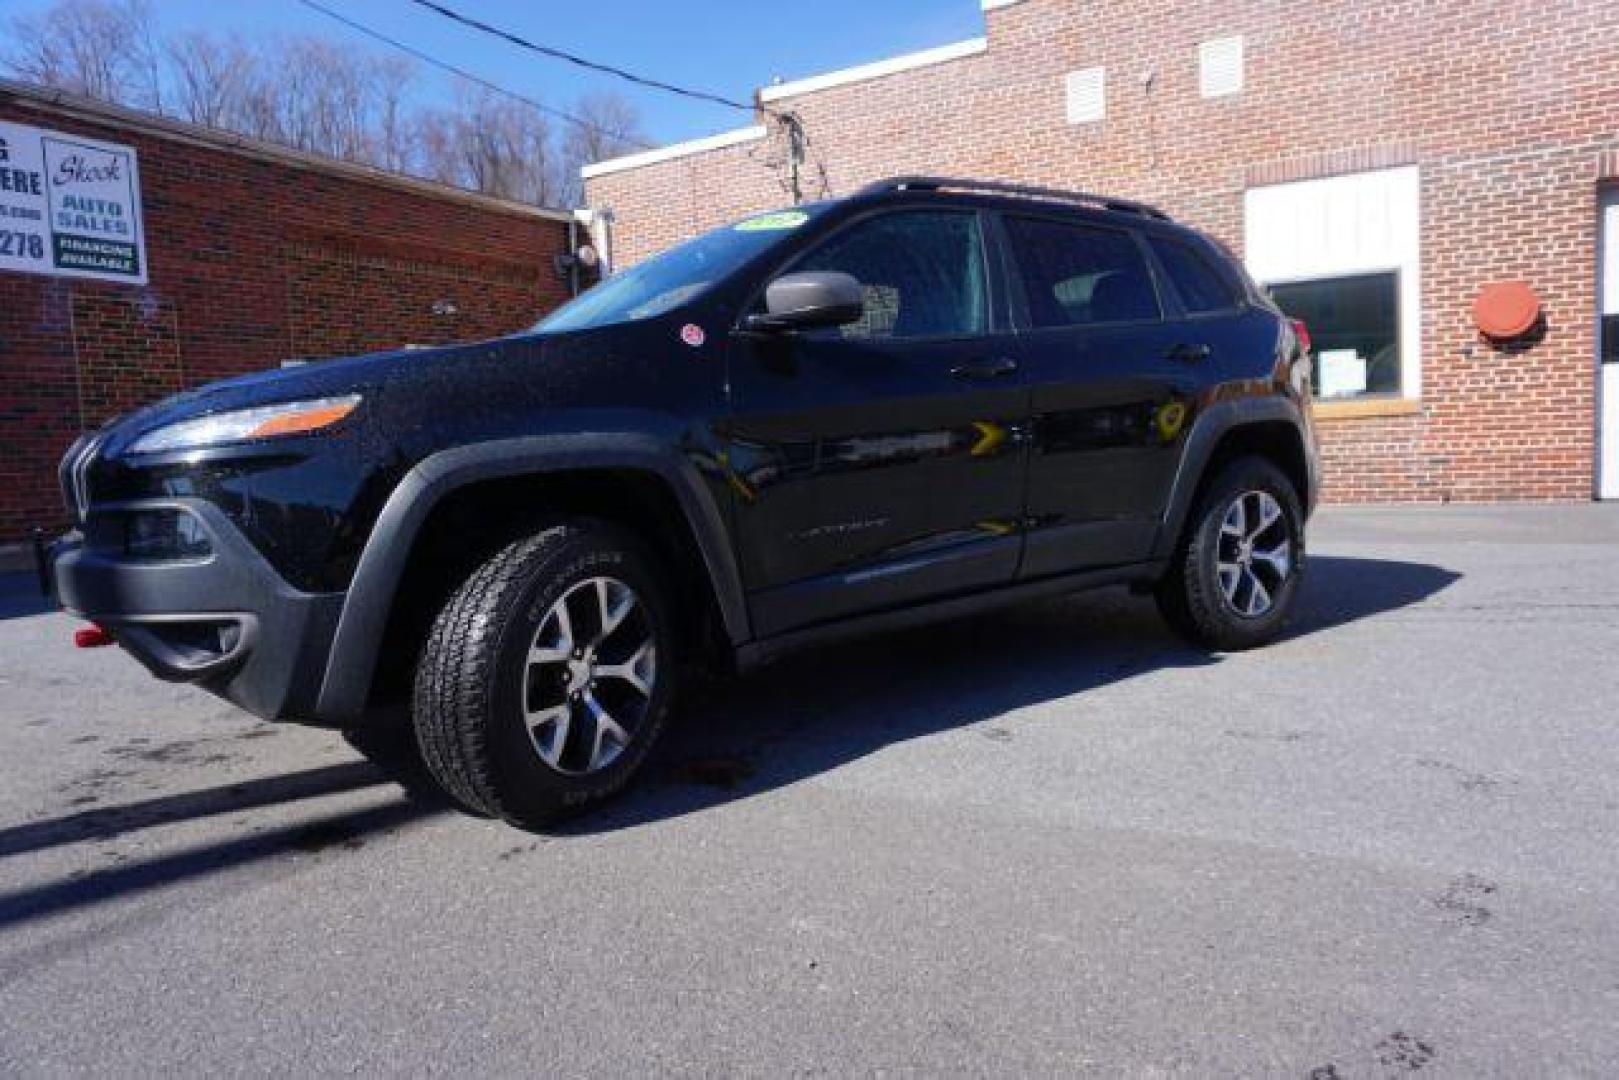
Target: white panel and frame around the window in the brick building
x,y
1345,226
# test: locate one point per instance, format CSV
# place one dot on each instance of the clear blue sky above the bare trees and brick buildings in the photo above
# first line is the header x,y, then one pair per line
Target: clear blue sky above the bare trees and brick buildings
x,y
725,46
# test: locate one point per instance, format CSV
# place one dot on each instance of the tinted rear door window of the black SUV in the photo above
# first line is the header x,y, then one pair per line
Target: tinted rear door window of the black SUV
x,y
1081,276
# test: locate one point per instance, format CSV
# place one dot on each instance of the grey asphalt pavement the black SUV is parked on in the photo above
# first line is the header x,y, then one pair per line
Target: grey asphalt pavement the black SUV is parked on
x,y
1050,841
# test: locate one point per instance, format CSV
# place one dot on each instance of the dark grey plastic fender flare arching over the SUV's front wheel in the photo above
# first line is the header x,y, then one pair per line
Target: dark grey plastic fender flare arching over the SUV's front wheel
x,y
354,658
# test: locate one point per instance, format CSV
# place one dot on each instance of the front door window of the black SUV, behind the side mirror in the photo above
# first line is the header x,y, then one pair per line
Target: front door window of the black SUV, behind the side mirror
x,y
922,273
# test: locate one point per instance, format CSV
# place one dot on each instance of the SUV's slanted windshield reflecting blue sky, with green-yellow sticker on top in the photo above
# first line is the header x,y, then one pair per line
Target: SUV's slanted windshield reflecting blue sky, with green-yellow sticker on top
x,y
653,287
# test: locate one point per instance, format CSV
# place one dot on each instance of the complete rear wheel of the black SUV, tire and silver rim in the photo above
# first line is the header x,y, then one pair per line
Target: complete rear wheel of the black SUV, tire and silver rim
x,y
1236,576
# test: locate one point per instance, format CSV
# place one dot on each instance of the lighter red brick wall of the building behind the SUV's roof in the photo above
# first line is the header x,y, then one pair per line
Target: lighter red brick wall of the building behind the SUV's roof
x,y
1506,108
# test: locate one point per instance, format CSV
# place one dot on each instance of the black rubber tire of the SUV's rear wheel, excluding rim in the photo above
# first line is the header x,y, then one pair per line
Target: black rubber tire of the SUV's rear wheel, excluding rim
x,y
1191,595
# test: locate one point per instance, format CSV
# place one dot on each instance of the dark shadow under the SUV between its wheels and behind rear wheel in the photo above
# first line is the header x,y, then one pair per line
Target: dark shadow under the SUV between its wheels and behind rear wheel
x,y
817,712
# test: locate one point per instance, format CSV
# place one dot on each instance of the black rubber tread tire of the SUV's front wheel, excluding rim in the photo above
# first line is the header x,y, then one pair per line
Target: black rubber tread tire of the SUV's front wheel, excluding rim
x,y
467,708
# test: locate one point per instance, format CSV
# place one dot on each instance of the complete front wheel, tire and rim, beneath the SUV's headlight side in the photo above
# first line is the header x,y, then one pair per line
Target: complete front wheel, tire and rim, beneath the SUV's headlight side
x,y
548,676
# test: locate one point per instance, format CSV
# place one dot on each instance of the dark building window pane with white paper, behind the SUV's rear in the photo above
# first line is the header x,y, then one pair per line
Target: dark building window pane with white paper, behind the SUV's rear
x,y
1356,328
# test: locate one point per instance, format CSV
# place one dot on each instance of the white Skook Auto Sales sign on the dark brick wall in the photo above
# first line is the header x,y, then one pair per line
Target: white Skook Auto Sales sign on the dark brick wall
x,y
70,206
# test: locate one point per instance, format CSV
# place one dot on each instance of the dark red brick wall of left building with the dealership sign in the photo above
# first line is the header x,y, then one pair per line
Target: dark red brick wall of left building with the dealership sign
x,y
257,257
